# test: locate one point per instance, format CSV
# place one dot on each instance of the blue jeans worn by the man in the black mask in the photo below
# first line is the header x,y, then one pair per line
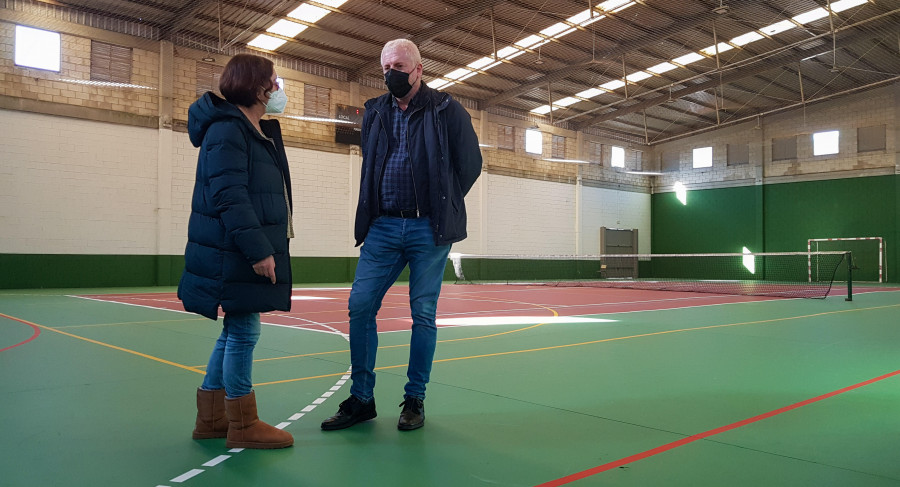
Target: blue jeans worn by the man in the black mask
x,y
390,245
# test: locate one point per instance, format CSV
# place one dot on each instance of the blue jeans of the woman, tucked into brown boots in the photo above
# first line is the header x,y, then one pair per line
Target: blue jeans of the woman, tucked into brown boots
x,y
232,359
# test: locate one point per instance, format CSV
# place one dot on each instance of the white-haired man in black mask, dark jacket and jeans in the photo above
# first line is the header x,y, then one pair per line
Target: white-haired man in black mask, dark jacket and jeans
x,y
420,158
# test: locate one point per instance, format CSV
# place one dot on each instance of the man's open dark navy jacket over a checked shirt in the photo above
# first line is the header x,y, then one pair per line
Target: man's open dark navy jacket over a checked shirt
x,y
444,154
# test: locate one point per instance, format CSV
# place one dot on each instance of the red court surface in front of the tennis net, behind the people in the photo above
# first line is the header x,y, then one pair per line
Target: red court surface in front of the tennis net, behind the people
x,y
325,309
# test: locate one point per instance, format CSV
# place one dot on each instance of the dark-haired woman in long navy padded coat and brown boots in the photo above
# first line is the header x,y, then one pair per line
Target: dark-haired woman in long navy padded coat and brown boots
x,y
237,251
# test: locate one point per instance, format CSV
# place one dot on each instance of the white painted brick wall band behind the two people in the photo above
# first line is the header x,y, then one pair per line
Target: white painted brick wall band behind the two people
x,y
70,186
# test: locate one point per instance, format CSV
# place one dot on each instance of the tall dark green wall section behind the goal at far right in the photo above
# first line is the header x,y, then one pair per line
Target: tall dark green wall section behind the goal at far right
x,y
781,217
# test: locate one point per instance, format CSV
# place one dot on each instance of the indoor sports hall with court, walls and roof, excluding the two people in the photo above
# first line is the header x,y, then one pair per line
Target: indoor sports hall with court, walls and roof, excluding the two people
x,y
680,266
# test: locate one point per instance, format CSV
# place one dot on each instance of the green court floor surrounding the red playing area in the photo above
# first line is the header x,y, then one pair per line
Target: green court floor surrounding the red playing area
x,y
104,396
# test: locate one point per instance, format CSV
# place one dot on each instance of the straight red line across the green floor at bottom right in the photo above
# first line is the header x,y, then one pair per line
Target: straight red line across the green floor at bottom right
x,y
690,439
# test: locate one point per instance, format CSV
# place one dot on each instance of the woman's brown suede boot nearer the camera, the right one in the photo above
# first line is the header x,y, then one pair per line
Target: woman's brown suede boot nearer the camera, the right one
x,y
245,430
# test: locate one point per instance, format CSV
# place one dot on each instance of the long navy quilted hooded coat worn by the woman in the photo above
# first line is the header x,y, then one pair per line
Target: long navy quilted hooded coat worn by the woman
x,y
239,214
